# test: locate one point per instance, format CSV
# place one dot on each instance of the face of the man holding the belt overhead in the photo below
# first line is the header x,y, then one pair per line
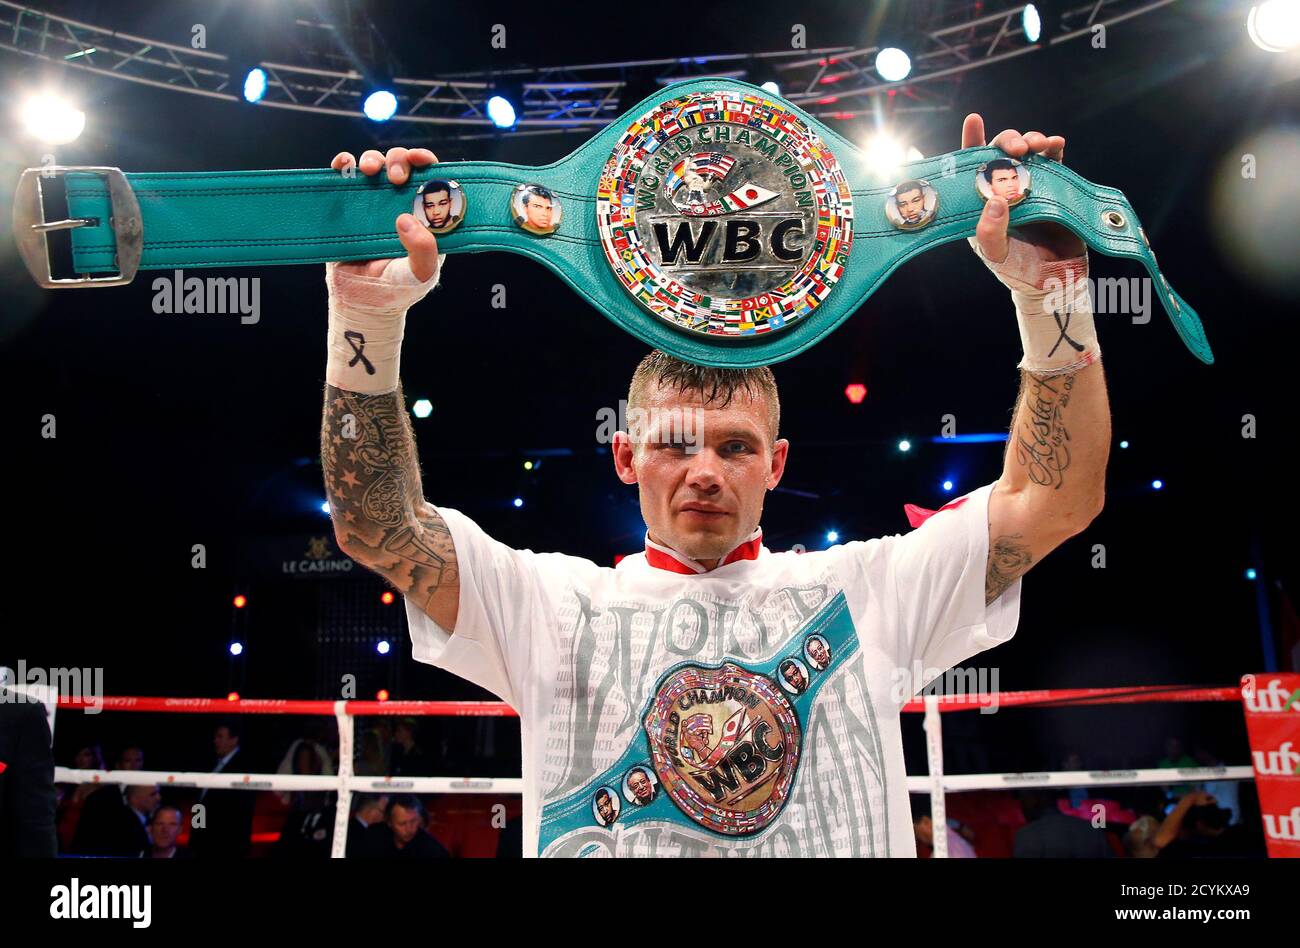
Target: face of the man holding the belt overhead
x,y
703,471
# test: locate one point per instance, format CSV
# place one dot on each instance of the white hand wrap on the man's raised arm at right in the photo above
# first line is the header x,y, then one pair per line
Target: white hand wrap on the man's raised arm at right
x,y
1052,306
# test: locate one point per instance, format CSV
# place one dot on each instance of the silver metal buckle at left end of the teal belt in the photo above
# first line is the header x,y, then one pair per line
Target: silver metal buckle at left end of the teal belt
x,y
31,227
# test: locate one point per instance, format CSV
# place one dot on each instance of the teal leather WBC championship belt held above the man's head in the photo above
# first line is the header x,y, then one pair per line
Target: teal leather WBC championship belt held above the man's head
x,y
714,220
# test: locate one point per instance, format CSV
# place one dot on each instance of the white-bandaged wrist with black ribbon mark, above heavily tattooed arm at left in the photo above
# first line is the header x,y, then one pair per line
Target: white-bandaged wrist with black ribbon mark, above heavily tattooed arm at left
x,y
367,322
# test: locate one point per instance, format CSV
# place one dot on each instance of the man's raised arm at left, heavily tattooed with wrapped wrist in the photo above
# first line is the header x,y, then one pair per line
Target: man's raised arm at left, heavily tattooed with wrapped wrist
x,y
372,474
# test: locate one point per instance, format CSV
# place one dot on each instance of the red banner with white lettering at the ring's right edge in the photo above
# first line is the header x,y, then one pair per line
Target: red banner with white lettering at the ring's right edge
x,y
1272,703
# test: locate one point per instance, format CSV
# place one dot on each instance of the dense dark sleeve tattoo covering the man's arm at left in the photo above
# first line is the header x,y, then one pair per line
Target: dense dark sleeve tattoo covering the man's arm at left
x,y
372,481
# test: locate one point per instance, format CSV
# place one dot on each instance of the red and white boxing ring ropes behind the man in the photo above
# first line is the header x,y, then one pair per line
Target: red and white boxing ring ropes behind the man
x,y
345,713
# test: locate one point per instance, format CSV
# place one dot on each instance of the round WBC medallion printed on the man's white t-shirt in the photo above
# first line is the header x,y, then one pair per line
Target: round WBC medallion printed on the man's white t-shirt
x,y
725,744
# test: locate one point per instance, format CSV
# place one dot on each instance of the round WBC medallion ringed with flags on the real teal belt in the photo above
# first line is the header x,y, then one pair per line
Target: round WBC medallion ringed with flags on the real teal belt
x,y
725,215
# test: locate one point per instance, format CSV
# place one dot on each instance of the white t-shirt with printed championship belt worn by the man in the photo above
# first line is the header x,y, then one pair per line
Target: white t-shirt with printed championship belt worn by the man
x,y
749,711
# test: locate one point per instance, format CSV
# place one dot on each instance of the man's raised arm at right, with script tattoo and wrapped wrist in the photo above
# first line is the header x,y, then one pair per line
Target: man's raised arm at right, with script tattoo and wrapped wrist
x,y
1054,473
